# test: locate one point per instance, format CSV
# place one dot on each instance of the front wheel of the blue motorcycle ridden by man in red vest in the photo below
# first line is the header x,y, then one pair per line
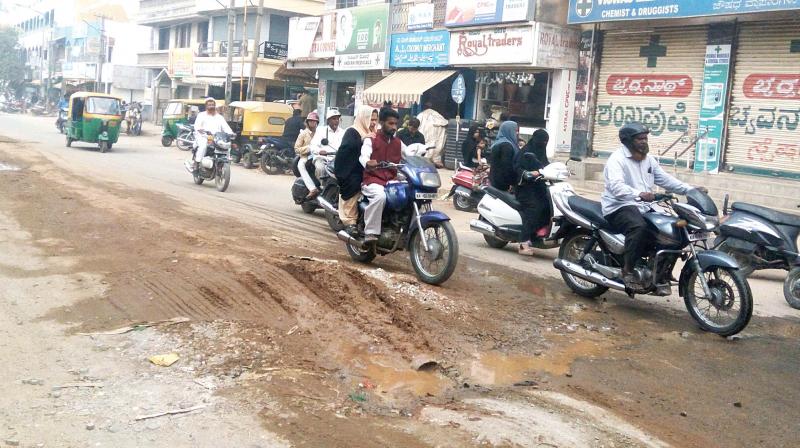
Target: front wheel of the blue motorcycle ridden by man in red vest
x,y
435,265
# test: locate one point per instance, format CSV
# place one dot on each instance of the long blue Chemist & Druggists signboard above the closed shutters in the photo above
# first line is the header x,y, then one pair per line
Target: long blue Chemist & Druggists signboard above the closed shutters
x,y
588,11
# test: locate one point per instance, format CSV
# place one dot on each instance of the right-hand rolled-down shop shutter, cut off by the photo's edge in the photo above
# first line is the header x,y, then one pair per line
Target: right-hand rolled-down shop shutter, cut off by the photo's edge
x,y
763,126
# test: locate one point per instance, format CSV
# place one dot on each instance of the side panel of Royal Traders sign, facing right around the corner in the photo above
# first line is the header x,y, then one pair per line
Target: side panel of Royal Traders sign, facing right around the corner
x,y
556,47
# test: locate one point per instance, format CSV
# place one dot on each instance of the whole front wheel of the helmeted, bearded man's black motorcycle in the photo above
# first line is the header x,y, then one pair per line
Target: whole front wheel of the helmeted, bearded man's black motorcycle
x,y
729,308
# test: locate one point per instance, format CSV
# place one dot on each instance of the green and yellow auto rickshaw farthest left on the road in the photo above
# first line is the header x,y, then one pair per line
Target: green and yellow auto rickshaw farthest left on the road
x,y
94,118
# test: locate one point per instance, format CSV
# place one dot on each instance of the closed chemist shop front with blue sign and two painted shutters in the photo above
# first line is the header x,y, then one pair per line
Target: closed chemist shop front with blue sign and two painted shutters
x,y
718,83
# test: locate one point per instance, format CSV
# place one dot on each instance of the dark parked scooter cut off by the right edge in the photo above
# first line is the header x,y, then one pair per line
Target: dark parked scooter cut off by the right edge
x,y
761,238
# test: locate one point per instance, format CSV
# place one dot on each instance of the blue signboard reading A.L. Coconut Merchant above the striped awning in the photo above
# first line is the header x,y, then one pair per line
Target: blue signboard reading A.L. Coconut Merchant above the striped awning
x,y
411,50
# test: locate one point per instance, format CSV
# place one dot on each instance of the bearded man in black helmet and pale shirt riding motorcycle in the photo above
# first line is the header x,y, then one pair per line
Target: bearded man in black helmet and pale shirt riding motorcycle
x,y
630,176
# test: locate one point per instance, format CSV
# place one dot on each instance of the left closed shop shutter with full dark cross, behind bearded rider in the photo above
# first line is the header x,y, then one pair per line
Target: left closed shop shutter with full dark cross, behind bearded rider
x,y
655,77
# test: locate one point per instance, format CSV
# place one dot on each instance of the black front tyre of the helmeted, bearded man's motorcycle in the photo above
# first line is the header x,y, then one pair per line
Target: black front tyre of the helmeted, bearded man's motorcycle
x,y
739,282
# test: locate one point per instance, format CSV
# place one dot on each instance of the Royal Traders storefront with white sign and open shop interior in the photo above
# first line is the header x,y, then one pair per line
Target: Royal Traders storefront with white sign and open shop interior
x,y
525,73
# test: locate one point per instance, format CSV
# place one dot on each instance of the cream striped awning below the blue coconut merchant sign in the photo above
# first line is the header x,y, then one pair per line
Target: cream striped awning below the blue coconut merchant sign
x,y
405,87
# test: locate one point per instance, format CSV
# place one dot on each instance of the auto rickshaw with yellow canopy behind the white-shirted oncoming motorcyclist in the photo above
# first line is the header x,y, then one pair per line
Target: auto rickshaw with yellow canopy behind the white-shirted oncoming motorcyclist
x,y
254,121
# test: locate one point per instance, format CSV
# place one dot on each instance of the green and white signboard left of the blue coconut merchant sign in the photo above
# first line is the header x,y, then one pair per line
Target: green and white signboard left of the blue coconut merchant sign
x,y
361,34
